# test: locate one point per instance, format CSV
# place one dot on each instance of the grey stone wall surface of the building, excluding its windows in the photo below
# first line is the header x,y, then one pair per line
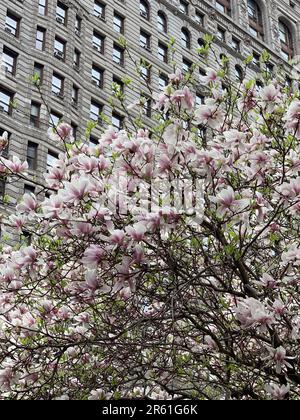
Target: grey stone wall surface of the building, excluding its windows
x,y
198,17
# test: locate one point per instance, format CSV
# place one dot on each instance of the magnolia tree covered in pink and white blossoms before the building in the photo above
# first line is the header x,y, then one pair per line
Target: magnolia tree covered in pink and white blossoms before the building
x,y
165,263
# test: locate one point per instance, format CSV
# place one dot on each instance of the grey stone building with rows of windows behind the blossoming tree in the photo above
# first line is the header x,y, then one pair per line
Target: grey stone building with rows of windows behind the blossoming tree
x,y
73,47
